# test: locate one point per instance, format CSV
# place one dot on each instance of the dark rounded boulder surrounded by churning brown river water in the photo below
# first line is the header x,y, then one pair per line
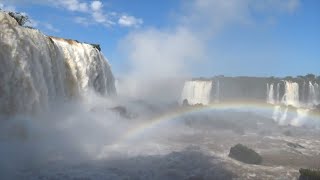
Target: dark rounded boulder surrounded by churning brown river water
x,y
244,154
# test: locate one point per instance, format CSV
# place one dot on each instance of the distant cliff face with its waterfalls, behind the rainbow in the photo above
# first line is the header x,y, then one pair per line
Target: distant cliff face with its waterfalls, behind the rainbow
x,y
303,91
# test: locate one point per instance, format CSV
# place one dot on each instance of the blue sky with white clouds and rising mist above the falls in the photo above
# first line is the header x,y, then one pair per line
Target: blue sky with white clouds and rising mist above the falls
x,y
189,37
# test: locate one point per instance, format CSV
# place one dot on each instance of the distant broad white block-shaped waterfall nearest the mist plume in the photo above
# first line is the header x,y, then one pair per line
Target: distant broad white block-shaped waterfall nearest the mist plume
x,y
197,92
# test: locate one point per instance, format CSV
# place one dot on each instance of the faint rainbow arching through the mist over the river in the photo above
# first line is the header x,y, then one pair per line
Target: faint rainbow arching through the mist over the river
x,y
244,106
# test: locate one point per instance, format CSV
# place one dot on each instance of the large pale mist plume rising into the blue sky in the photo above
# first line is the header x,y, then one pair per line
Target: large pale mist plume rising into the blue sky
x,y
172,52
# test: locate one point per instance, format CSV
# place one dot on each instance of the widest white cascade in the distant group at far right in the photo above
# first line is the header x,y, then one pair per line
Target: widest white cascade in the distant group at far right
x,y
291,96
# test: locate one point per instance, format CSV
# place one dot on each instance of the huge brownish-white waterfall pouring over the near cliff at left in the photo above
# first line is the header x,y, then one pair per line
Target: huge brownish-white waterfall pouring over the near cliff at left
x,y
37,70
